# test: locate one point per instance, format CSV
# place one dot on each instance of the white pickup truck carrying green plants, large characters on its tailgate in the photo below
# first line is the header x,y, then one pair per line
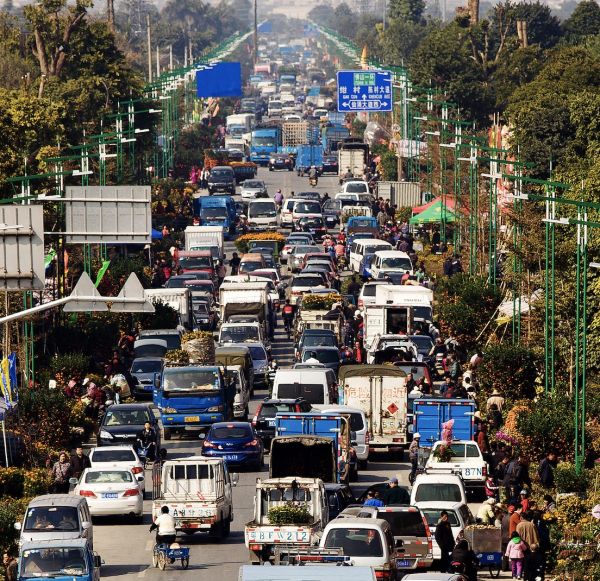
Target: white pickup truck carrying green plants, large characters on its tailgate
x,y
262,537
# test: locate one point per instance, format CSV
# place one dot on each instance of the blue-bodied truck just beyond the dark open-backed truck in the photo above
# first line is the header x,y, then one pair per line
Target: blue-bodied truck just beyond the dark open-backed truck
x,y
333,426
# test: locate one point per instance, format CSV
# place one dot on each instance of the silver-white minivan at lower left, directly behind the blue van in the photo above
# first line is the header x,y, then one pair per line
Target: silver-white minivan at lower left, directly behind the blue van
x,y
56,517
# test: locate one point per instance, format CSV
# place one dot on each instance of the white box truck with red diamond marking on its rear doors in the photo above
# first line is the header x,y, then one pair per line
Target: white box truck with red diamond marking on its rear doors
x,y
380,391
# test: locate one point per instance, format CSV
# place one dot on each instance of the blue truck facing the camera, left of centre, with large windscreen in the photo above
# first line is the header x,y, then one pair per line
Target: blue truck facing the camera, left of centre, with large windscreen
x,y
192,396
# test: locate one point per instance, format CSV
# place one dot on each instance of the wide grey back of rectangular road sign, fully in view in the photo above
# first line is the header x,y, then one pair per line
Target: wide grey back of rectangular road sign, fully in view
x,y
108,214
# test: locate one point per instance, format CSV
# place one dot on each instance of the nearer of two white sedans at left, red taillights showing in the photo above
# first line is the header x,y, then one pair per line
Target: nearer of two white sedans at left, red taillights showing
x,y
112,491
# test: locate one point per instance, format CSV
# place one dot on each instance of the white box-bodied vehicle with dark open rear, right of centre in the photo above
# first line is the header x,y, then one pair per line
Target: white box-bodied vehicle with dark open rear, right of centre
x,y
395,310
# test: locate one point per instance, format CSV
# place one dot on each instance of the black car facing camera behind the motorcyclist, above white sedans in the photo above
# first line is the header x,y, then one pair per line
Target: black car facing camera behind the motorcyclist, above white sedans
x,y
123,421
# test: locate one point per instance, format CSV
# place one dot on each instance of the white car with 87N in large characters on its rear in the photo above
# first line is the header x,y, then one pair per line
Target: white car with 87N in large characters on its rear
x,y
467,461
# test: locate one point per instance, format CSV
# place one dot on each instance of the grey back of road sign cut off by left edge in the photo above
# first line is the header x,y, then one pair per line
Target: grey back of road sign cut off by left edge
x,y
22,248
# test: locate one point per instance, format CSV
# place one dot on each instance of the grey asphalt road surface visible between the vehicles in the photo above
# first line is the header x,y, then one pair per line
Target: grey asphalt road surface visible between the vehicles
x,y
126,548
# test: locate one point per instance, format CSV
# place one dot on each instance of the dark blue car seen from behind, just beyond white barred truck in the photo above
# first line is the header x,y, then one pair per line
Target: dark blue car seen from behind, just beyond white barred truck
x,y
236,442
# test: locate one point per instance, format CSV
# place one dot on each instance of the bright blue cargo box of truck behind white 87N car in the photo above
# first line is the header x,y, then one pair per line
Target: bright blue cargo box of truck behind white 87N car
x,y
430,414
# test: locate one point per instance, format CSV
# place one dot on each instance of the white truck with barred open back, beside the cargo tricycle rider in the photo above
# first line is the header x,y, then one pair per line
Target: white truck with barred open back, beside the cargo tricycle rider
x,y
198,492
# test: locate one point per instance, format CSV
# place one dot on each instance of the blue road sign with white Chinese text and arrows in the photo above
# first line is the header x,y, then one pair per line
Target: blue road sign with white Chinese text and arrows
x,y
364,91
